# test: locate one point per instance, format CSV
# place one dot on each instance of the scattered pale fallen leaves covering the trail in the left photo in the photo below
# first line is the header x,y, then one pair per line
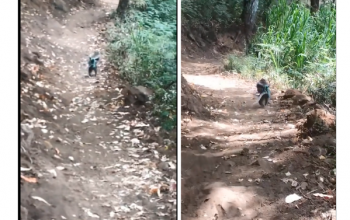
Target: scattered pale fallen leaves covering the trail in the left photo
x,y
123,158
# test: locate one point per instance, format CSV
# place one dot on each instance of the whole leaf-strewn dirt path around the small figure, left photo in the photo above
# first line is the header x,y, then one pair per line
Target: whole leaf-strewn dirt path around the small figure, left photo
x,y
89,157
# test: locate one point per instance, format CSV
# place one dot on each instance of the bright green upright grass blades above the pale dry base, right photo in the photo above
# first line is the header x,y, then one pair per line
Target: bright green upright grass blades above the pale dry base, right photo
x,y
294,39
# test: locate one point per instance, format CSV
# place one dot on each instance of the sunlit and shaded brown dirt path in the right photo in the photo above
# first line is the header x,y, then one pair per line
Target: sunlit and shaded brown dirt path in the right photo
x,y
243,161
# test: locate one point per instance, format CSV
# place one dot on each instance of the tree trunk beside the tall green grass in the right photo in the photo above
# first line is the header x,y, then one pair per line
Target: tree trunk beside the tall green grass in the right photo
x,y
248,16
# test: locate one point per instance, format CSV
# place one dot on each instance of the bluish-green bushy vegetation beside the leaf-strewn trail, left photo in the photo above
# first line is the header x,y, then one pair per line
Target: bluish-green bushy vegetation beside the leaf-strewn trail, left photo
x,y
143,48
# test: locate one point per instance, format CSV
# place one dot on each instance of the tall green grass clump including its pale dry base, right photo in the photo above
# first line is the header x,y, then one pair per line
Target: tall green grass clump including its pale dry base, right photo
x,y
299,48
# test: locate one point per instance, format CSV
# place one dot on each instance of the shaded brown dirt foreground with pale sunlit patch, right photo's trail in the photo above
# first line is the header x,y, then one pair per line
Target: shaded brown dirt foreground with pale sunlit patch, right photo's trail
x,y
249,186
